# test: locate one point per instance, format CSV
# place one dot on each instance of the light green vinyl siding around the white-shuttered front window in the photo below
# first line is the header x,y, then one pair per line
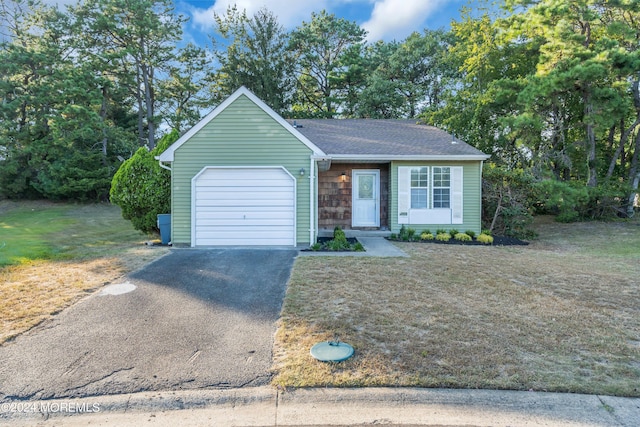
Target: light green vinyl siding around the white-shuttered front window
x,y
472,196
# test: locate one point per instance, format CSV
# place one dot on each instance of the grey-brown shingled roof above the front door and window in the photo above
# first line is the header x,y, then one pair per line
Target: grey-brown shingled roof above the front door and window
x,y
376,138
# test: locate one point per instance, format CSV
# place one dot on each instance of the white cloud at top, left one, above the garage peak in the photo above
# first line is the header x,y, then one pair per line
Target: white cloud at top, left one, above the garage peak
x,y
289,13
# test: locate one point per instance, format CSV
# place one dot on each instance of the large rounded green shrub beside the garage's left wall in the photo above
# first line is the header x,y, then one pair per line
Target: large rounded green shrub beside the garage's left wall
x,y
142,188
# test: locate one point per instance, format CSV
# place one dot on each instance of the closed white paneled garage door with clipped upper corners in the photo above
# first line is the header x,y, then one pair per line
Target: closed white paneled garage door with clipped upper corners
x,y
243,206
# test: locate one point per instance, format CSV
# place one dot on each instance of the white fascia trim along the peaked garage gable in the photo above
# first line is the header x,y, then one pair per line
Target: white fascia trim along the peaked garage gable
x,y
168,154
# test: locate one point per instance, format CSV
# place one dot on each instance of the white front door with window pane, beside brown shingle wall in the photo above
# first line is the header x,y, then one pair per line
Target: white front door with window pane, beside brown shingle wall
x,y
365,198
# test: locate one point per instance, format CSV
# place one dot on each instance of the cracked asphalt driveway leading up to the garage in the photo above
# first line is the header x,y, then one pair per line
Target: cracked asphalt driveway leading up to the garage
x,y
196,319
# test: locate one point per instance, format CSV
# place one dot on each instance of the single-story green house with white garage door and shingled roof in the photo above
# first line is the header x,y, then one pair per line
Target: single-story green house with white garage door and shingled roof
x,y
246,176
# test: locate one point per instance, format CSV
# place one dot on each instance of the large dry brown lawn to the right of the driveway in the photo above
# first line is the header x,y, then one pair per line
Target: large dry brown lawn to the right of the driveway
x,y
562,314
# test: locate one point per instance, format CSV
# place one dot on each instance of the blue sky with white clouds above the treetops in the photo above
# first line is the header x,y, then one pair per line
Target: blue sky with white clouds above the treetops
x,y
383,19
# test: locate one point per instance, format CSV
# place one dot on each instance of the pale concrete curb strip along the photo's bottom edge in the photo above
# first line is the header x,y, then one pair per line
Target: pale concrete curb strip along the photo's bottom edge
x,y
266,406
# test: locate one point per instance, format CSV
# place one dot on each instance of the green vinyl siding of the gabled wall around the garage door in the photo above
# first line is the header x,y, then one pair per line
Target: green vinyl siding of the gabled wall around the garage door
x,y
240,135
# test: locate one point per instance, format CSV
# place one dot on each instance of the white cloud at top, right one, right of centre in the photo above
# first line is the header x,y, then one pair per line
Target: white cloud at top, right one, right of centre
x,y
396,19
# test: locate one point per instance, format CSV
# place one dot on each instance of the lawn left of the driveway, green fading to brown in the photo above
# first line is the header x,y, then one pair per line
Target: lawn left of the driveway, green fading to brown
x,y
53,254
